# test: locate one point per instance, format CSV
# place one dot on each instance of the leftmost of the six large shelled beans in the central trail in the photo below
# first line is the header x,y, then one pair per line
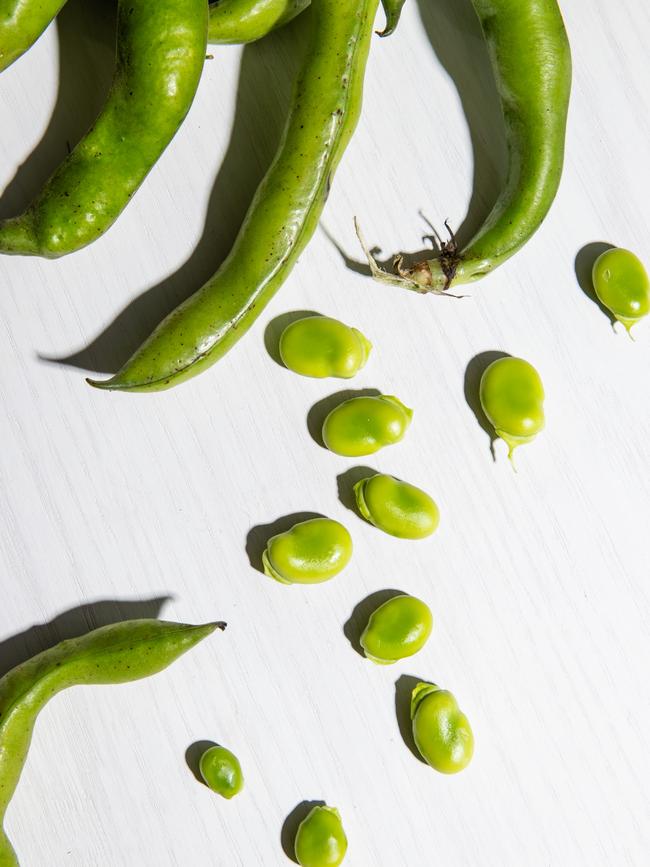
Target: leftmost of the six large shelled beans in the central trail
x,y
310,552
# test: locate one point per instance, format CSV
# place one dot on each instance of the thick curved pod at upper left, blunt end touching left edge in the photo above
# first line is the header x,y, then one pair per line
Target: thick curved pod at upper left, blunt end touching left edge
x,y
160,54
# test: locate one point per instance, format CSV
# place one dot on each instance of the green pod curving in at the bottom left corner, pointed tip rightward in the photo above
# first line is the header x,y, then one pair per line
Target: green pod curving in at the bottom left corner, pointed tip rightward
x,y
118,653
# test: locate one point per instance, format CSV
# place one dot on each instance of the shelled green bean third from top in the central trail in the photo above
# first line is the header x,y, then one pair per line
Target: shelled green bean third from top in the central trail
x,y
396,507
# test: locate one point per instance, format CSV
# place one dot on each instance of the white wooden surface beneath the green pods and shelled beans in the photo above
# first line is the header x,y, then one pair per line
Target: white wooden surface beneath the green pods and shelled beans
x,y
538,581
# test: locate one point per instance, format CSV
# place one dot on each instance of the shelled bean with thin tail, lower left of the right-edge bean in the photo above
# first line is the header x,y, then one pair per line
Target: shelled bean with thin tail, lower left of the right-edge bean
x,y
512,397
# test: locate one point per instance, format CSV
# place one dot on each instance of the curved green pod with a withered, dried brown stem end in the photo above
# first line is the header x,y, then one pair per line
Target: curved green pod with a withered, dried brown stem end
x,y
531,59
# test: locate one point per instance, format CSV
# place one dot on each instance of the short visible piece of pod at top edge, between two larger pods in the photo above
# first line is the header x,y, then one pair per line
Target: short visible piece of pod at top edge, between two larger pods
x,y
232,22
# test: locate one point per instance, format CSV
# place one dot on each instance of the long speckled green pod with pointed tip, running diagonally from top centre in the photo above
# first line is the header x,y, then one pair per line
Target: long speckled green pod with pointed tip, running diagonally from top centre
x,y
283,214
